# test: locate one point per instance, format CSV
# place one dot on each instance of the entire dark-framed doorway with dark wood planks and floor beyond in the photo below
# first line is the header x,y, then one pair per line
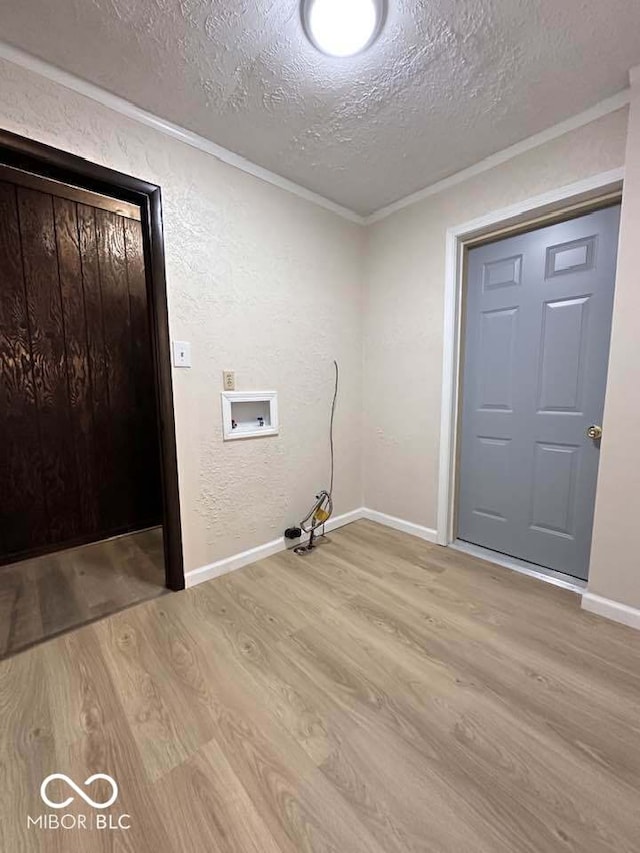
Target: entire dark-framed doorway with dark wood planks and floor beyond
x,y
89,512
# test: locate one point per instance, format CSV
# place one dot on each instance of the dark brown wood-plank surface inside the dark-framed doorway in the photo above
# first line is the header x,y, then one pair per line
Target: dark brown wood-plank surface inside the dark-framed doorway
x,y
79,457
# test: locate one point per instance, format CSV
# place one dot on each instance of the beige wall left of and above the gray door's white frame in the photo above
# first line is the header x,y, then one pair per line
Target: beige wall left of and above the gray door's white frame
x,y
405,268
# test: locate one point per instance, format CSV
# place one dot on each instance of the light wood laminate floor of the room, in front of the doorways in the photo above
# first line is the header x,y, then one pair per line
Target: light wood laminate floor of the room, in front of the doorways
x,y
381,694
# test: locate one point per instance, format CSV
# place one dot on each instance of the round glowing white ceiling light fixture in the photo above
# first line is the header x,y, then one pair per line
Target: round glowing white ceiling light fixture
x,y
343,27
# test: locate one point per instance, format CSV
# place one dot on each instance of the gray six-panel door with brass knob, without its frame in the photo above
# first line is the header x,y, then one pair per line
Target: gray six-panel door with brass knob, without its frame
x,y
536,348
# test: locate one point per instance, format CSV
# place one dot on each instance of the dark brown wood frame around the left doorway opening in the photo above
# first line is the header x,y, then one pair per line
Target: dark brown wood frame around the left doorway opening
x,y
39,159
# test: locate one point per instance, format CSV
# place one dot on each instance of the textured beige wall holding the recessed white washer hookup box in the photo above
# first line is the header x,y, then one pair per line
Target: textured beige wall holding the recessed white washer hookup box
x,y
261,282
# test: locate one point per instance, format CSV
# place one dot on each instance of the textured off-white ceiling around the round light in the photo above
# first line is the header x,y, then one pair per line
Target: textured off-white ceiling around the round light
x,y
448,83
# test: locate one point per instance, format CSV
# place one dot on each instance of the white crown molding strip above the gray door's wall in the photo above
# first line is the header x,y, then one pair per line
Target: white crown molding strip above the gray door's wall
x,y
609,105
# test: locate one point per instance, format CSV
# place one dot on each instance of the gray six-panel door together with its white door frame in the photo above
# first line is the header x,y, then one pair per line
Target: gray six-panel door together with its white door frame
x,y
530,298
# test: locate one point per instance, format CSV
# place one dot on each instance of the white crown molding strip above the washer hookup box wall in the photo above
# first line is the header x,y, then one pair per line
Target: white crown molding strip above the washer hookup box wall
x,y
126,108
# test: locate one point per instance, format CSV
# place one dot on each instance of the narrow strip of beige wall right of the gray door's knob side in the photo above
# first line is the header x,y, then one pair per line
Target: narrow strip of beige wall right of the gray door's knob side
x,y
615,557
